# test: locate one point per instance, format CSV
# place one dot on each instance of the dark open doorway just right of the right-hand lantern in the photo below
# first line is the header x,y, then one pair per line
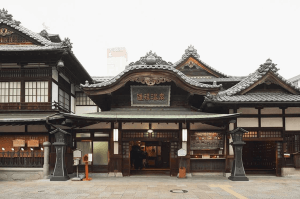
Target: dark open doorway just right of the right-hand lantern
x,y
259,157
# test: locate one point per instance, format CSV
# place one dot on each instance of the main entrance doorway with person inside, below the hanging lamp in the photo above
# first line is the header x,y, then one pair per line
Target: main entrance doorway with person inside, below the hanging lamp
x,y
149,157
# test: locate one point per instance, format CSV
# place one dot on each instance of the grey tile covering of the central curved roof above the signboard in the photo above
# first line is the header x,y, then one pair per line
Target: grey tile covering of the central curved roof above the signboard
x,y
163,66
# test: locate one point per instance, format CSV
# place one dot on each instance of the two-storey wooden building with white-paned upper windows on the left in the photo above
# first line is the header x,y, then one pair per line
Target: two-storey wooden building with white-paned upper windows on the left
x,y
38,78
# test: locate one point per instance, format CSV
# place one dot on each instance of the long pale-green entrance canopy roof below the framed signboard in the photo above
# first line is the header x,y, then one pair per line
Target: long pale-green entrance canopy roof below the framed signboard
x,y
154,115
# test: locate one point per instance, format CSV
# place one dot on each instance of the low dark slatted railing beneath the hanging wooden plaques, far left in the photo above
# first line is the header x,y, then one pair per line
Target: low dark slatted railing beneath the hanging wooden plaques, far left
x,y
22,159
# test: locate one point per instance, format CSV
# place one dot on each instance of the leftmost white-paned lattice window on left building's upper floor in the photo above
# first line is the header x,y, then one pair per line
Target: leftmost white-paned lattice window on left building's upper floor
x,y
10,92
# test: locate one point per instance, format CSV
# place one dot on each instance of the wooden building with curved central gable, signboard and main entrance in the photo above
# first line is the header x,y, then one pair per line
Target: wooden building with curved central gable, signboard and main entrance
x,y
163,107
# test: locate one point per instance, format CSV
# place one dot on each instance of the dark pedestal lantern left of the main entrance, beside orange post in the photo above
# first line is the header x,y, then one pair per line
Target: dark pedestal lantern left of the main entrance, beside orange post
x,y
60,171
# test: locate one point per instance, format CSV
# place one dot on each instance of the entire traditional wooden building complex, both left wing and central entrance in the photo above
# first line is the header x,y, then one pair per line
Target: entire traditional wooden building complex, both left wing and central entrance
x,y
154,106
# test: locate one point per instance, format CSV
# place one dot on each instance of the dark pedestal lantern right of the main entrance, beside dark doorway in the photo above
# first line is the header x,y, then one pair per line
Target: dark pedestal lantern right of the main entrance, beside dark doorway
x,y
238,172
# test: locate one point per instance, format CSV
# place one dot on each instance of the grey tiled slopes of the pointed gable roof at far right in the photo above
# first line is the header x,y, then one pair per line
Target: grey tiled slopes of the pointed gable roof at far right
x,y
254,77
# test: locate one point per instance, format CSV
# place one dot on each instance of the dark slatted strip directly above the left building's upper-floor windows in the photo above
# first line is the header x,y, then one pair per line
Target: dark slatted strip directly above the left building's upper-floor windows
x,y
41,72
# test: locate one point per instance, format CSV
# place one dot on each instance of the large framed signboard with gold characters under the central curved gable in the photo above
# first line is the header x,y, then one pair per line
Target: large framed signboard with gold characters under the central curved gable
x,y
150,95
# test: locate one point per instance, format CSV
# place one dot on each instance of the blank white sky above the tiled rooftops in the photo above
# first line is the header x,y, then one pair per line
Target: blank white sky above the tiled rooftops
x,y
233,36
